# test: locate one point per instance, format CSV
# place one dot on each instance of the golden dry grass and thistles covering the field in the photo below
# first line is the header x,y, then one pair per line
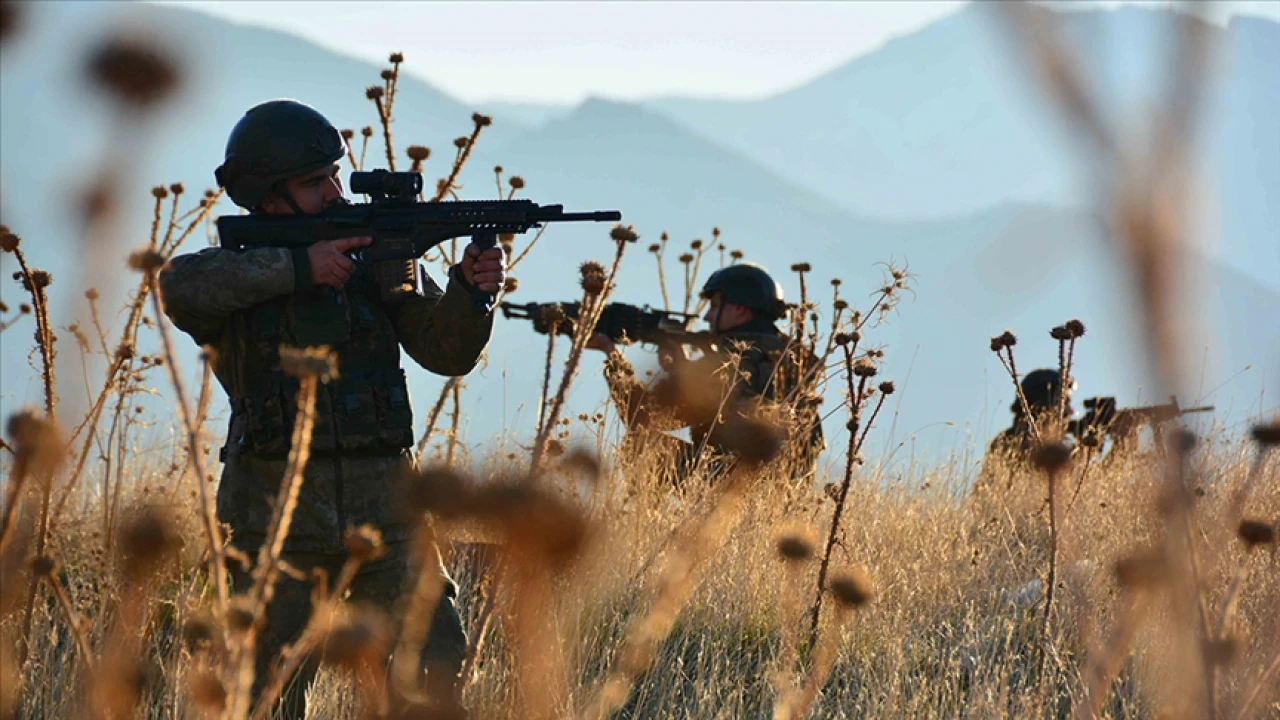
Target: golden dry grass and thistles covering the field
x,y
606,594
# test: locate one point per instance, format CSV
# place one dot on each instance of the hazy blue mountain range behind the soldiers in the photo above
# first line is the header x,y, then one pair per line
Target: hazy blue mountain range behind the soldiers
x,y
930,152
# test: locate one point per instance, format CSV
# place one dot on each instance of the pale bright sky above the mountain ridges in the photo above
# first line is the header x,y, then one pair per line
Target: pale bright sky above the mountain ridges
x,y
565,52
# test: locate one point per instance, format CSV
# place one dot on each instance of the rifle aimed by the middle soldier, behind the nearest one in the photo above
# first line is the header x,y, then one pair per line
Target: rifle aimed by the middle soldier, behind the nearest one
x,y
619,322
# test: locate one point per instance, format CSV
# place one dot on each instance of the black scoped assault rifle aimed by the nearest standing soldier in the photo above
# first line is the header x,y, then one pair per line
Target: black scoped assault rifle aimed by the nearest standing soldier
x,y
404,229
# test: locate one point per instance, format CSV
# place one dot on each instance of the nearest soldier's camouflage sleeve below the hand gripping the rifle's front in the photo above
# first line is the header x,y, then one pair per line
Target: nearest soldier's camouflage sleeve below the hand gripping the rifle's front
x,y
444,331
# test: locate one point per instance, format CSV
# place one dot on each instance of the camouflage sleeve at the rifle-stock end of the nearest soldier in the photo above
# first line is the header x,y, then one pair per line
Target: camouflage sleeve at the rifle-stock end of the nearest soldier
x,y
203,290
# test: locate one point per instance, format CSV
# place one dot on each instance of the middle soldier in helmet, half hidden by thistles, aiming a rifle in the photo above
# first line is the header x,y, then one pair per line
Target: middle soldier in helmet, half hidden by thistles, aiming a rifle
x,y
749,364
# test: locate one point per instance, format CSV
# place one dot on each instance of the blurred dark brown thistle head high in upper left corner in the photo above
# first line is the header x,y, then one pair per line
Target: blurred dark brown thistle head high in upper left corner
x,y
138,74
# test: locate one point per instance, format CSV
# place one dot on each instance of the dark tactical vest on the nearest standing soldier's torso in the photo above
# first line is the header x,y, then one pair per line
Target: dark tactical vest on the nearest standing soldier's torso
x,y
364,411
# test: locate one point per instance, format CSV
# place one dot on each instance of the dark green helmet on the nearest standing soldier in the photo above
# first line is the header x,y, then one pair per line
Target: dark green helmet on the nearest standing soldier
x,y
276,140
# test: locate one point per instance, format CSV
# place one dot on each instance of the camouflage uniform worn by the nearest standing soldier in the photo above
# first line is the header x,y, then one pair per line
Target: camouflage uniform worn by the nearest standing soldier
x,y
245,306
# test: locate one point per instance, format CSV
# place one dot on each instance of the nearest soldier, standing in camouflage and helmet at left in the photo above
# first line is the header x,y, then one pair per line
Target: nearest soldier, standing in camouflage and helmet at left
x,y
284,160
